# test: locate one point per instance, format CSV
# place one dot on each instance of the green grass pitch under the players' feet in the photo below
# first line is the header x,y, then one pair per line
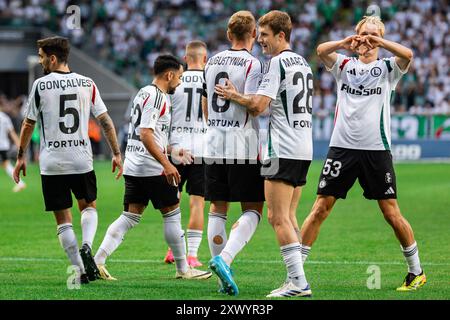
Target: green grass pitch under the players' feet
x,y
354,238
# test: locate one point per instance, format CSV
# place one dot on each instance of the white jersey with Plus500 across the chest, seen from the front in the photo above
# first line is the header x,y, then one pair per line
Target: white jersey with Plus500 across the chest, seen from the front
x,y
362,115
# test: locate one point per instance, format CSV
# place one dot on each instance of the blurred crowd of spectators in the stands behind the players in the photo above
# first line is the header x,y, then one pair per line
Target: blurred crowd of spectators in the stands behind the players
x,y
127,35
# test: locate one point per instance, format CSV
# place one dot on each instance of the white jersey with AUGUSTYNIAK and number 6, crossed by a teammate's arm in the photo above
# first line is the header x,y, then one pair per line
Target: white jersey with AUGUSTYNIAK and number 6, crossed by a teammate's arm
x,y
232,130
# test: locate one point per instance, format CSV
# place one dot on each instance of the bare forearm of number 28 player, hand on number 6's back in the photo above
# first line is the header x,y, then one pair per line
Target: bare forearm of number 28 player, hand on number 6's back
x,y
255,103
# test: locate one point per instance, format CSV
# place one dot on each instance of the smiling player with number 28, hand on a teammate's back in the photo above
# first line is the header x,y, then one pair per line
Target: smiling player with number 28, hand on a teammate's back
x,y
287,89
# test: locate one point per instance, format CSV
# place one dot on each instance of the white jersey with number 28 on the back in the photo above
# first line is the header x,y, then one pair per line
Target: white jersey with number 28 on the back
x,y
289,83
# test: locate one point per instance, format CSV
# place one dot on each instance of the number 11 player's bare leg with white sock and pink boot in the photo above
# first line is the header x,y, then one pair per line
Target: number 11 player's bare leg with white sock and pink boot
x,y
195,228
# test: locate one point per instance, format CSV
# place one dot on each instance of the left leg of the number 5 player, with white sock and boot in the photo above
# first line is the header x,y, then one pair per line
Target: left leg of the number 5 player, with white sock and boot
x,y
69,242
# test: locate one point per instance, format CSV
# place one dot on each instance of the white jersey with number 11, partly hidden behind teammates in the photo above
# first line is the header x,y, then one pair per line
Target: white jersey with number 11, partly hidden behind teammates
x,y
188,128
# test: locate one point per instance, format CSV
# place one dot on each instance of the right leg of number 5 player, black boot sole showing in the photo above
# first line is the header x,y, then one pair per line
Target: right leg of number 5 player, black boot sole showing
x,y
89,222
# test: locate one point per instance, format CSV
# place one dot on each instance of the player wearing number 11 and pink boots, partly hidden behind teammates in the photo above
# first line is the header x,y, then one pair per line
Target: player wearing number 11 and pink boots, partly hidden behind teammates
x,y
187,131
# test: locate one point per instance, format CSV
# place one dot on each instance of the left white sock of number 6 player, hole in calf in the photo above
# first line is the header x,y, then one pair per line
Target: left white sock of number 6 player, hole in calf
x,y
217,234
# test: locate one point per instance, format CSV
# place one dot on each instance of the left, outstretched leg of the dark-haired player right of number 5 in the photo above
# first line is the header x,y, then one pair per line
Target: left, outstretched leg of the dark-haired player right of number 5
x,y
115,234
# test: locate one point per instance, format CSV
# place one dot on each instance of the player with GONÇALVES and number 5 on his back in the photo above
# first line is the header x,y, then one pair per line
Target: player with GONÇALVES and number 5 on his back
x,y
62,102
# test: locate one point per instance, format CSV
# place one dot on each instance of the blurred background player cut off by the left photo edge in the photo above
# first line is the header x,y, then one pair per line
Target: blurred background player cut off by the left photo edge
x,y
6,133
